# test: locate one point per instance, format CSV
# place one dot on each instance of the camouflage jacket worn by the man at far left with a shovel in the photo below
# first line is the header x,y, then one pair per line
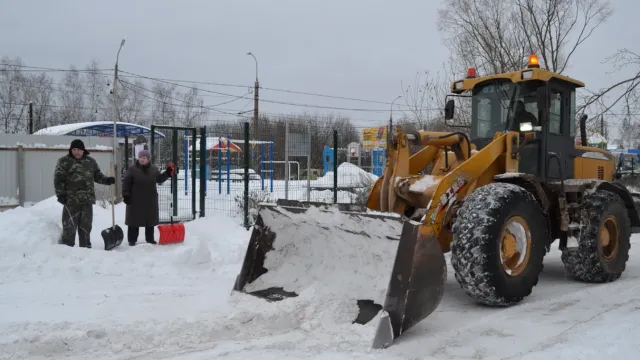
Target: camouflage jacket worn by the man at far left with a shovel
x,y
74,179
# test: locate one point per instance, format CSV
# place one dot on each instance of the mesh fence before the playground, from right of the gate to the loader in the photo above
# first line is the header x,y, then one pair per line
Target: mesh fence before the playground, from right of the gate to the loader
x,y
279,160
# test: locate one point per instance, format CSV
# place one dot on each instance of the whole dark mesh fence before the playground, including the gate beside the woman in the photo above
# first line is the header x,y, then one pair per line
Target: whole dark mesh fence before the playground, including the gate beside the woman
x,y
238,167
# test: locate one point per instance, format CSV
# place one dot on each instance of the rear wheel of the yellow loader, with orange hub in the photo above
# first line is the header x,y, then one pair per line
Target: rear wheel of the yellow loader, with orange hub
x,y
604,243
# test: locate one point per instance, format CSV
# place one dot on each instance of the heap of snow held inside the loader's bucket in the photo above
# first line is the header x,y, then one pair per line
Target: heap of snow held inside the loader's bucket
x,y
328,255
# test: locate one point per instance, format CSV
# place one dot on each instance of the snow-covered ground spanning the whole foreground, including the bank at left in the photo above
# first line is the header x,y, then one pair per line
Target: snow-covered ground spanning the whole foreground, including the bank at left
x,y
175,302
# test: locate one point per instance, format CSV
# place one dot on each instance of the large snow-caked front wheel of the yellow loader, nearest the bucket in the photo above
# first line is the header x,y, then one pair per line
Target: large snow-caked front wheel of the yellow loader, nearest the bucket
x,y
479,249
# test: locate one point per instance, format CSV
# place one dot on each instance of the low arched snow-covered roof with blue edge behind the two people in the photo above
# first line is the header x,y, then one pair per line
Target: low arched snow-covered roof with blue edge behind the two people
x,y
99,128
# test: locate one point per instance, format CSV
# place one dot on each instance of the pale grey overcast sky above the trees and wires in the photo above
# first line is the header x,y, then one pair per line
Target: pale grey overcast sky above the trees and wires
x,y
351,48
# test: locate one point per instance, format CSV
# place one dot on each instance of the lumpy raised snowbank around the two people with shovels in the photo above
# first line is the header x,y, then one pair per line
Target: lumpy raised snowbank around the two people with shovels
x,y
35,231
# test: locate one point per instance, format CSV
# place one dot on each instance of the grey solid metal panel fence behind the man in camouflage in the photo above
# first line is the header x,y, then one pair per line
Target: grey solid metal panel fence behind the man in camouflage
x,y
27,163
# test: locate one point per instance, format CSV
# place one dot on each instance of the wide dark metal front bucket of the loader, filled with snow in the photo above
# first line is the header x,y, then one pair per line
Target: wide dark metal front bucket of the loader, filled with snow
x,y
296,247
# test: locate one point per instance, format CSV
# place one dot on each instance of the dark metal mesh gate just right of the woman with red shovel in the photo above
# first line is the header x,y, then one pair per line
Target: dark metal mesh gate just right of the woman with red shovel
x,y
177,197
